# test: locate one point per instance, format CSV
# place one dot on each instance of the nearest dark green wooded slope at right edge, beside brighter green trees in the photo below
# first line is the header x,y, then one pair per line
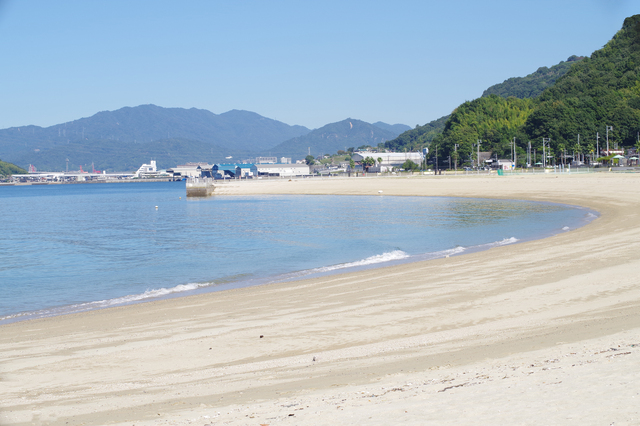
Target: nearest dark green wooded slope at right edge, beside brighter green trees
x,y
600,91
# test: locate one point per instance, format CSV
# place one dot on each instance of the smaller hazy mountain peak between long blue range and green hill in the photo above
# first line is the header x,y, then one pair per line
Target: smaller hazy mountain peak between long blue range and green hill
x,y
331,138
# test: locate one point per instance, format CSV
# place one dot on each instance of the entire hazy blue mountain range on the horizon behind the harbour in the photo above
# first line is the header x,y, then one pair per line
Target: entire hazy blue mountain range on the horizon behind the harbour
x,y
123,139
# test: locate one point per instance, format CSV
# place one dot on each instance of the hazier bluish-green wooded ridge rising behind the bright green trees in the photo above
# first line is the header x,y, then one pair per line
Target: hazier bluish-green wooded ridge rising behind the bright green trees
x,y
534,84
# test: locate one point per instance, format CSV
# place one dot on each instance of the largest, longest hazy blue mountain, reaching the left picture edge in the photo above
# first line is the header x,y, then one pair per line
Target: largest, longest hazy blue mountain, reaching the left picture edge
x,y
234,132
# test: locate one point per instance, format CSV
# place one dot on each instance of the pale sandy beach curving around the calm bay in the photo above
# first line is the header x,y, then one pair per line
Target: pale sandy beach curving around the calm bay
x,y
541,332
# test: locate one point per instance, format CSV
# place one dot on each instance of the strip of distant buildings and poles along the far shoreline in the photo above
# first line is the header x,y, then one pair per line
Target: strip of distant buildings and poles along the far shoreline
x,y
351,163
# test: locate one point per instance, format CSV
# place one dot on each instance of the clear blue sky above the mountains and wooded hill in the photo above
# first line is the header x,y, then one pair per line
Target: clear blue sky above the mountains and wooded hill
x,y
300,62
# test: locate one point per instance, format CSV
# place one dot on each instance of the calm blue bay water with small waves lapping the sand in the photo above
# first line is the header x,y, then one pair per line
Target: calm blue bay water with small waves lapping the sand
x,y
70,248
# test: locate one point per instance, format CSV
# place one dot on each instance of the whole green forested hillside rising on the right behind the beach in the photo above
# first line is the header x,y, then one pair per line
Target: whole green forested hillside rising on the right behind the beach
x,y
595,92
